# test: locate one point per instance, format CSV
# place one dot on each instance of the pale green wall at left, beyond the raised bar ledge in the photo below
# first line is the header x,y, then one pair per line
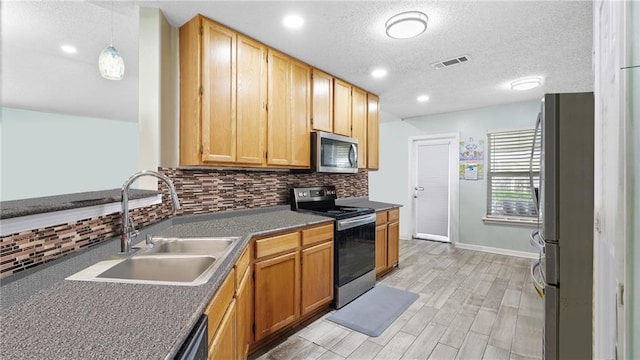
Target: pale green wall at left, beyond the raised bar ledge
x,y
46,154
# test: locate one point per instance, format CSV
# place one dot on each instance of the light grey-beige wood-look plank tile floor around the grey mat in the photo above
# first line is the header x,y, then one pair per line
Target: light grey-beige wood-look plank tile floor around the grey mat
x,y
472,305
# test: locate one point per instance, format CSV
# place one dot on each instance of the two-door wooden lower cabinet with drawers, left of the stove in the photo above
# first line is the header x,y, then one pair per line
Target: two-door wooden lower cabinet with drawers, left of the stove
x,y
293,278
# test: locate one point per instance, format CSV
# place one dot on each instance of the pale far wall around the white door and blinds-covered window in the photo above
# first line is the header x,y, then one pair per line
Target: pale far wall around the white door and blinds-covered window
x,y
391,182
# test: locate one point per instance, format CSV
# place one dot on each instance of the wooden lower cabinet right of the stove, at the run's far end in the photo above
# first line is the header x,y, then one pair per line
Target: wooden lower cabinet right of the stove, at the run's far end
x,y
387,240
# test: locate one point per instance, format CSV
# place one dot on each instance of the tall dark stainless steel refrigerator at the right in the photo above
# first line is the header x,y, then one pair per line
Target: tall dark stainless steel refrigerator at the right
x,y
563,275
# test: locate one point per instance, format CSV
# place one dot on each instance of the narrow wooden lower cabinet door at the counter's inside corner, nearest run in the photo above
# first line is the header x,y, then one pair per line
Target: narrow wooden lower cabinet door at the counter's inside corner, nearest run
x,y
244,301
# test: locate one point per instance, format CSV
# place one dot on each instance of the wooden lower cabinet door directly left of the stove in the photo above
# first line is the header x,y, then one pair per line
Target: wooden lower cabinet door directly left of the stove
x,y
317,276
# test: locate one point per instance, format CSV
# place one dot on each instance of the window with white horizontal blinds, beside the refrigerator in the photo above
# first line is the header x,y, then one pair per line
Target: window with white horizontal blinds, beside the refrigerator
x,y
509,193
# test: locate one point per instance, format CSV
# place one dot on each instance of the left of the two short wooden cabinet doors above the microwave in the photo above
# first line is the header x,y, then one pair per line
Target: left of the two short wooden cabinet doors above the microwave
x,y
322,101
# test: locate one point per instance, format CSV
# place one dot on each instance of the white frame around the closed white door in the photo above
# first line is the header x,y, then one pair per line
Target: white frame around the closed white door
x,y
454,183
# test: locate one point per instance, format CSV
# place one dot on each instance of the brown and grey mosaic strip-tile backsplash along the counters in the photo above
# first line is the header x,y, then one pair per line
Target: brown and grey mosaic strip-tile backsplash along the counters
x,y
199,191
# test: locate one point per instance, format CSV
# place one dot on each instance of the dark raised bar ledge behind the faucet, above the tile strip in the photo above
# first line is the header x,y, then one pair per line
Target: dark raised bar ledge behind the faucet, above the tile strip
x,y
32,206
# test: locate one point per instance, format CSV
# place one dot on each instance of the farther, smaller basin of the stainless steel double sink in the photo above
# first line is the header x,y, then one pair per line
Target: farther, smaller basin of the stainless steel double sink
x,y
191,245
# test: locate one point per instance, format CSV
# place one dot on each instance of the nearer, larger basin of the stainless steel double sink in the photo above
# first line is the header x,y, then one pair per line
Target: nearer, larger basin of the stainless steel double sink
x,y
186,270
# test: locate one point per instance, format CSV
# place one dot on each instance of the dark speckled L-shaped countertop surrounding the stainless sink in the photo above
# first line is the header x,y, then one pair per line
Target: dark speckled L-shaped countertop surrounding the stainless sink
x,y
90,320
